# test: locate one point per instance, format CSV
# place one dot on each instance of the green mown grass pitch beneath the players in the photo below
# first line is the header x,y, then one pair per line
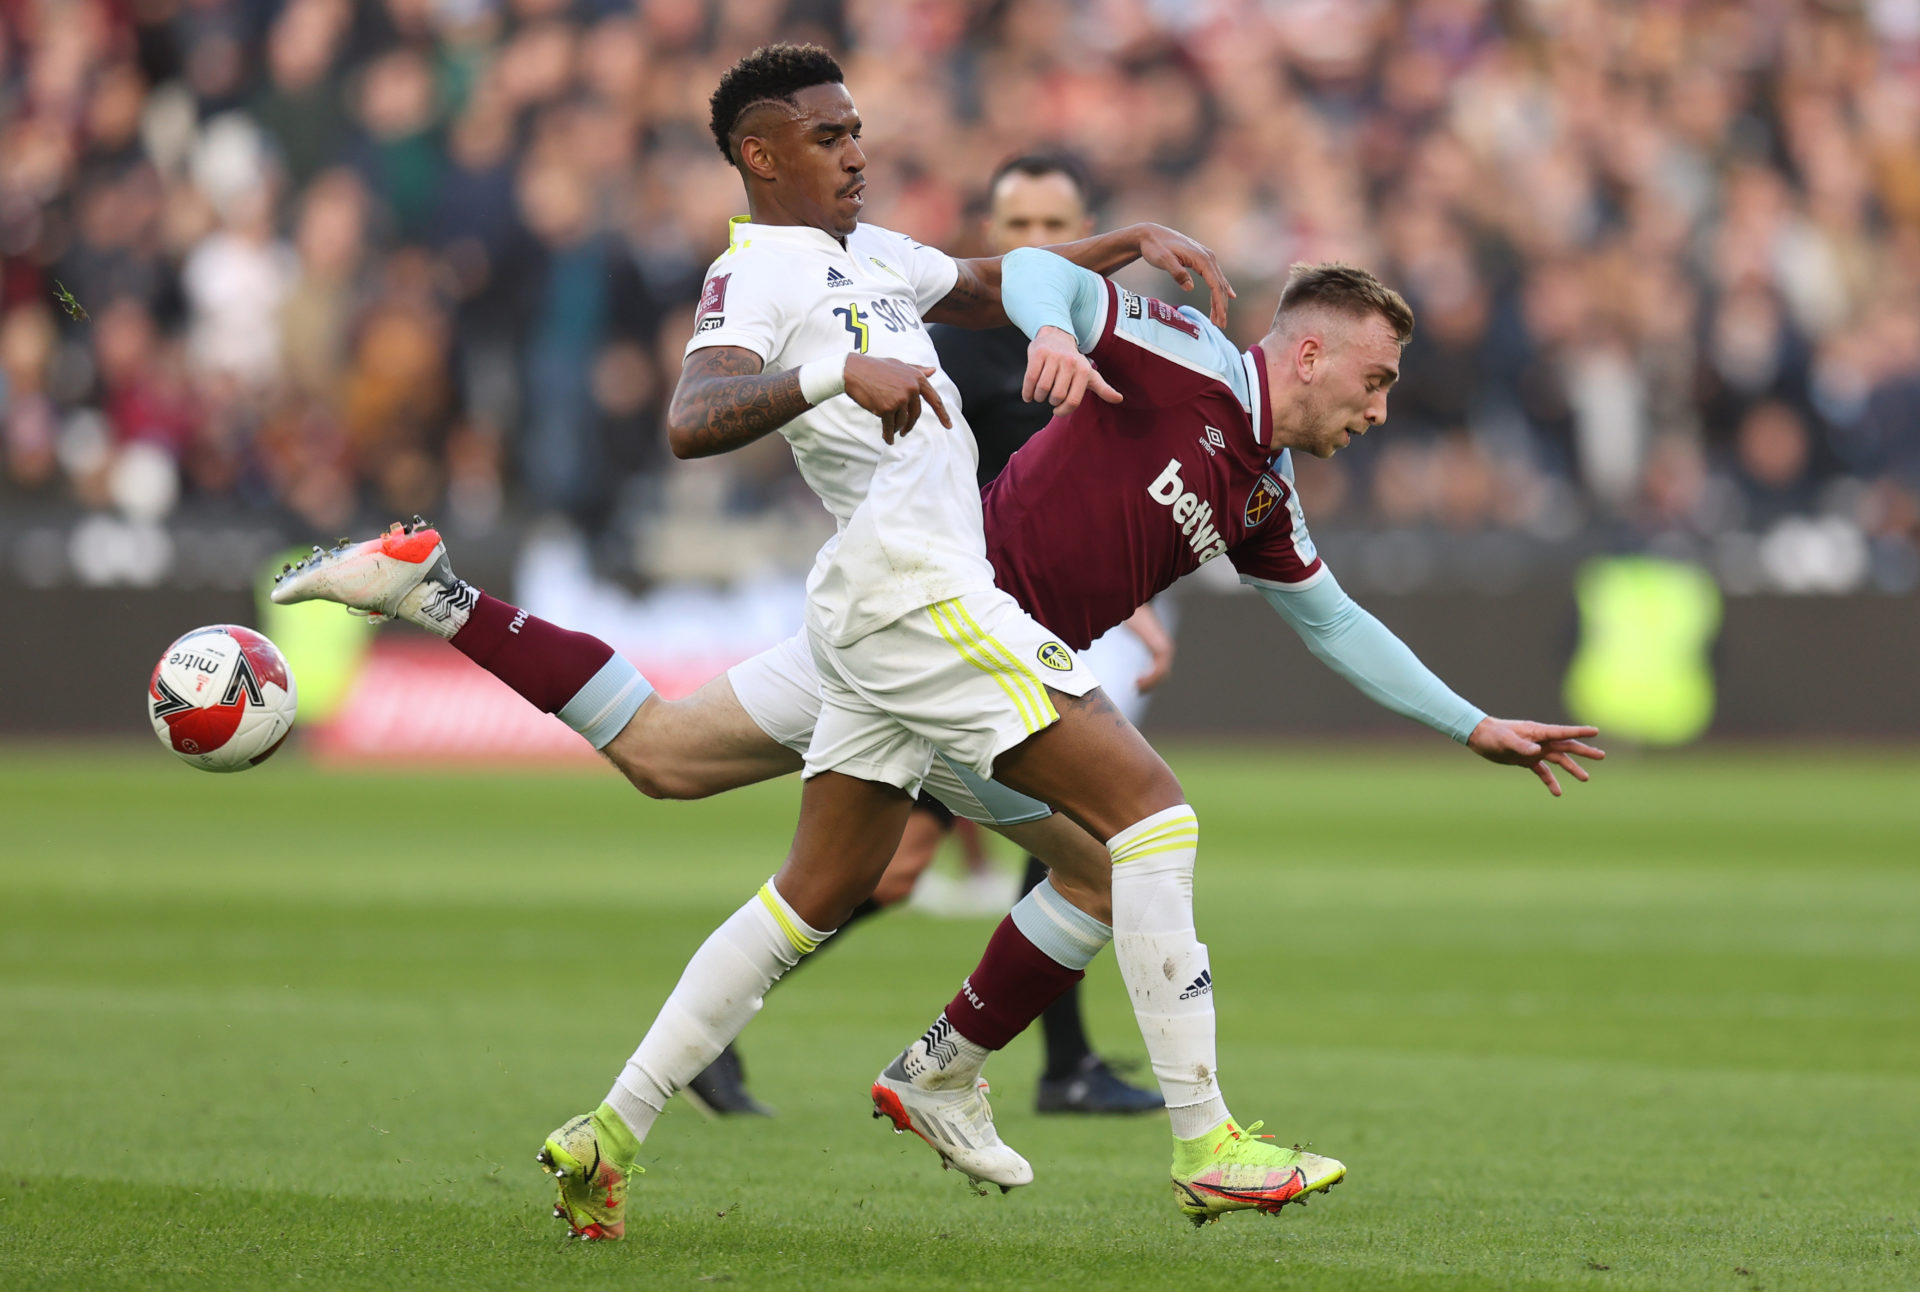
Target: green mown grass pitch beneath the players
x,y
310,1028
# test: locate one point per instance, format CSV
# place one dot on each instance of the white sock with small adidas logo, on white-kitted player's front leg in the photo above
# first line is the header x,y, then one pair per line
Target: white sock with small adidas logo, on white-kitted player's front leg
x,y
1164,963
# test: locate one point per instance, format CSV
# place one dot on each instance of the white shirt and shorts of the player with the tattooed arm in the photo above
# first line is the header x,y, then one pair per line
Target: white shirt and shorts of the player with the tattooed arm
x,y
917,648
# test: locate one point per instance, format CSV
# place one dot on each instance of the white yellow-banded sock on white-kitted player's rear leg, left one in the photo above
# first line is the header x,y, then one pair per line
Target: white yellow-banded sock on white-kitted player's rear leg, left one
x,y
717,997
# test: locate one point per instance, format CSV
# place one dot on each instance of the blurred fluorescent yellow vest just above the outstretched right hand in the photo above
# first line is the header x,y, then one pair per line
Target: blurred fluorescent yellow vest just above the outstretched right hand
x,y
1646,629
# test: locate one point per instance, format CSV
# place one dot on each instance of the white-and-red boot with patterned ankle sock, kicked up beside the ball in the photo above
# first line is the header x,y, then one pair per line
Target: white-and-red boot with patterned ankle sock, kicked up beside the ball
x,y
400,575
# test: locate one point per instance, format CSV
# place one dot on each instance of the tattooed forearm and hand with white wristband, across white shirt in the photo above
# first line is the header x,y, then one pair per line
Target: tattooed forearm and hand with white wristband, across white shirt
x,y
725,400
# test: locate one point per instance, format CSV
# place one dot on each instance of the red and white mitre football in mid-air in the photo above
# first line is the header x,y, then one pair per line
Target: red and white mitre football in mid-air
x,y
222,698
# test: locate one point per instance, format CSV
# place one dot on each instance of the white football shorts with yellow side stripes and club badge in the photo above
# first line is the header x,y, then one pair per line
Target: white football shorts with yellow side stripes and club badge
x,y
965,677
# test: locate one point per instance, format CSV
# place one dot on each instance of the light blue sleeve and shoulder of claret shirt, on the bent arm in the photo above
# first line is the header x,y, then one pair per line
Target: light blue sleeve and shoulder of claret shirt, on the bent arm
x,y
1040,289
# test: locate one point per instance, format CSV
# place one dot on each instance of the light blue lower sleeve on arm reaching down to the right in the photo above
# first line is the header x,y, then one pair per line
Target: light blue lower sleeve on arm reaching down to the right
x,y
1364,652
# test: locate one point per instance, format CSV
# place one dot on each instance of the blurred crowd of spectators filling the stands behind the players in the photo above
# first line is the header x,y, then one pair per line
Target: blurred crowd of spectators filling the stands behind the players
x,y
341,262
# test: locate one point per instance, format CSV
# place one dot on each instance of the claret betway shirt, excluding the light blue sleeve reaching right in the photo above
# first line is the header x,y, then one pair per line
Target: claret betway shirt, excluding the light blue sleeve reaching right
x,y
1113,504
